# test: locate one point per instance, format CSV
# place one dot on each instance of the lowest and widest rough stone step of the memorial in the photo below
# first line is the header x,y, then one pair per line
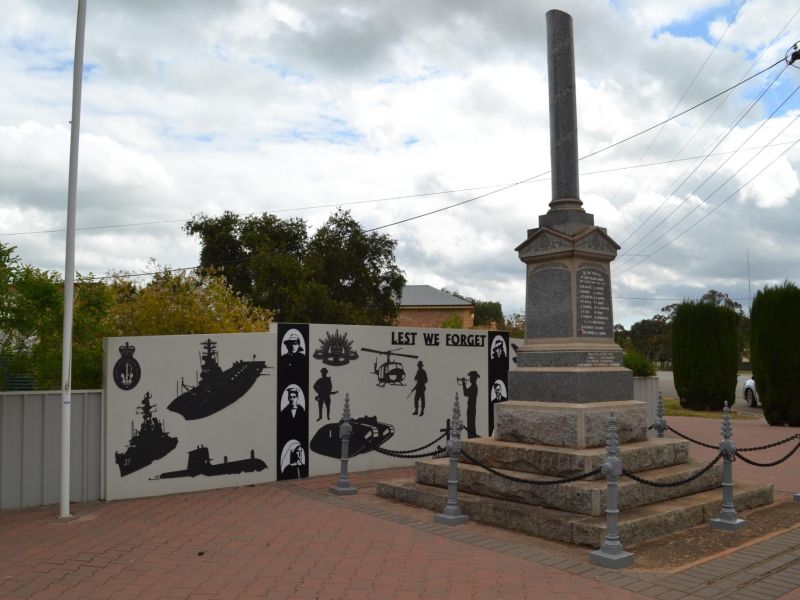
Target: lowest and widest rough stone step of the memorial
x,y
636,525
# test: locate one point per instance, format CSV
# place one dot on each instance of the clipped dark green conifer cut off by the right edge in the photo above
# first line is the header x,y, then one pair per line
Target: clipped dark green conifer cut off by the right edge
x,y
775,352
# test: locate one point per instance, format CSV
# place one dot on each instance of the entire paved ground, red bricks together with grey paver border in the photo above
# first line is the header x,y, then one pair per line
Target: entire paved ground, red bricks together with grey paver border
x,y
294,540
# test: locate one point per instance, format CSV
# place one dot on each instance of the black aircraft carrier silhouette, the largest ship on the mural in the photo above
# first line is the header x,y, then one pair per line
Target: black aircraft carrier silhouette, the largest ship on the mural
x,y
216,388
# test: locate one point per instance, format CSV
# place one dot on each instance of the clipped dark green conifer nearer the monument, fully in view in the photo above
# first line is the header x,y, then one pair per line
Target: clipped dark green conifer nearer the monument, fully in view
x,y
705,355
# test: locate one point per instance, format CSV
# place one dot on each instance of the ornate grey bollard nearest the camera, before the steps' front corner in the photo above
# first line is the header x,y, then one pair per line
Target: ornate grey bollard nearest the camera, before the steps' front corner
x,y
611,554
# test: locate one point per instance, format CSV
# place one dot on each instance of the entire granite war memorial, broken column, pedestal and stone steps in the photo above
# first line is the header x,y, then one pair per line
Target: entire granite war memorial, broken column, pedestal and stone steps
x,y
569,381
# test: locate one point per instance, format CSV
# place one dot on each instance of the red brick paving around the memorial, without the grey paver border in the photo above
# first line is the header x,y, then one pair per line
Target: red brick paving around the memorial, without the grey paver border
x,y
272,542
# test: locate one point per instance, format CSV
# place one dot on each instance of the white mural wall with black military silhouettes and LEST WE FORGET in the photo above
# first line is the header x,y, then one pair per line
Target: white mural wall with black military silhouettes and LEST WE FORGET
x,y
186,413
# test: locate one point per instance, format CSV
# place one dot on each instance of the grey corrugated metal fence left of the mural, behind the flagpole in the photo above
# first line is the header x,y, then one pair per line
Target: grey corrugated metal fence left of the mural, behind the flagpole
x,y
30,447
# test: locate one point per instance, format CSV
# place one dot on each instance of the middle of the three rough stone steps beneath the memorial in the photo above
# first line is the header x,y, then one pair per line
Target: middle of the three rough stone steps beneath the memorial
x,y
581,497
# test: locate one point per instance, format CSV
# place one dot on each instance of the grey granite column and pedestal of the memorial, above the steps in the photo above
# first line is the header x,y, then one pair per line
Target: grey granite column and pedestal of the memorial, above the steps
x,y
569,365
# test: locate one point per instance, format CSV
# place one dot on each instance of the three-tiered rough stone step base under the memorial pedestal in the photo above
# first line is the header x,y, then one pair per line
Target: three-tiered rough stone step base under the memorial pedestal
x,y
575,512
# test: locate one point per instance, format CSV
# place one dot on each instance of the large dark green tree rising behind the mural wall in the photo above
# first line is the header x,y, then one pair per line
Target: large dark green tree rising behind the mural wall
x,y
341,274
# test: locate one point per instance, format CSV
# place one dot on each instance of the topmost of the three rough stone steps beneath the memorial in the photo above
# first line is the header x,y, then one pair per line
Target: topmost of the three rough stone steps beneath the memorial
x,y
654,453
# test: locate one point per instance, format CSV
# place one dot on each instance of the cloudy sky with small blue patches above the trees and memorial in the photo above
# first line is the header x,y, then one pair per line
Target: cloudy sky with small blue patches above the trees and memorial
x,y
395,108
